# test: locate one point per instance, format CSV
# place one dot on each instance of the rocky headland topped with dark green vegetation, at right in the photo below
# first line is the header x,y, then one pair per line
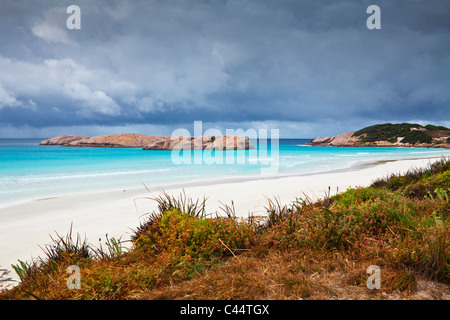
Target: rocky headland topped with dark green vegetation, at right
x,y
390,135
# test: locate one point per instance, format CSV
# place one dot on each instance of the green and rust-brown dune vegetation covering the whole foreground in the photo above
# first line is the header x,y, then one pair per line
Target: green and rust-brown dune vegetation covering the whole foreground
x,y
307,249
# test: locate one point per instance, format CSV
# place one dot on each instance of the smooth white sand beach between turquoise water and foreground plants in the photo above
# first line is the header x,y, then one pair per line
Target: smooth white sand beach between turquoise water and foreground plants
x,y
26,227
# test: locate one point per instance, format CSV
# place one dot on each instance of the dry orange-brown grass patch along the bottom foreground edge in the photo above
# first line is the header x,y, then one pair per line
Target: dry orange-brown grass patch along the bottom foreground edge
x,y
294,275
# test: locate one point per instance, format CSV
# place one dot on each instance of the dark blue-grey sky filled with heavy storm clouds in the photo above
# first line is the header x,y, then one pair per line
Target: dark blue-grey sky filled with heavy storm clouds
x,y
308,68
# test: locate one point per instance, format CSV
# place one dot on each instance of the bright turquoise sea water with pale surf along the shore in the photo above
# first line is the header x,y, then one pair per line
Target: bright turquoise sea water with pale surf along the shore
x,y
29,171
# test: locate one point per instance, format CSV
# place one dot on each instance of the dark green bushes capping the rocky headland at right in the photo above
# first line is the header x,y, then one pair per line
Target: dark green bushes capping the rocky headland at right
x,y
405,132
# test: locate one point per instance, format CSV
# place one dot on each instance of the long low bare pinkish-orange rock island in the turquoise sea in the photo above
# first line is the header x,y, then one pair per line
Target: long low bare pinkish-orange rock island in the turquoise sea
x,y
147,142
